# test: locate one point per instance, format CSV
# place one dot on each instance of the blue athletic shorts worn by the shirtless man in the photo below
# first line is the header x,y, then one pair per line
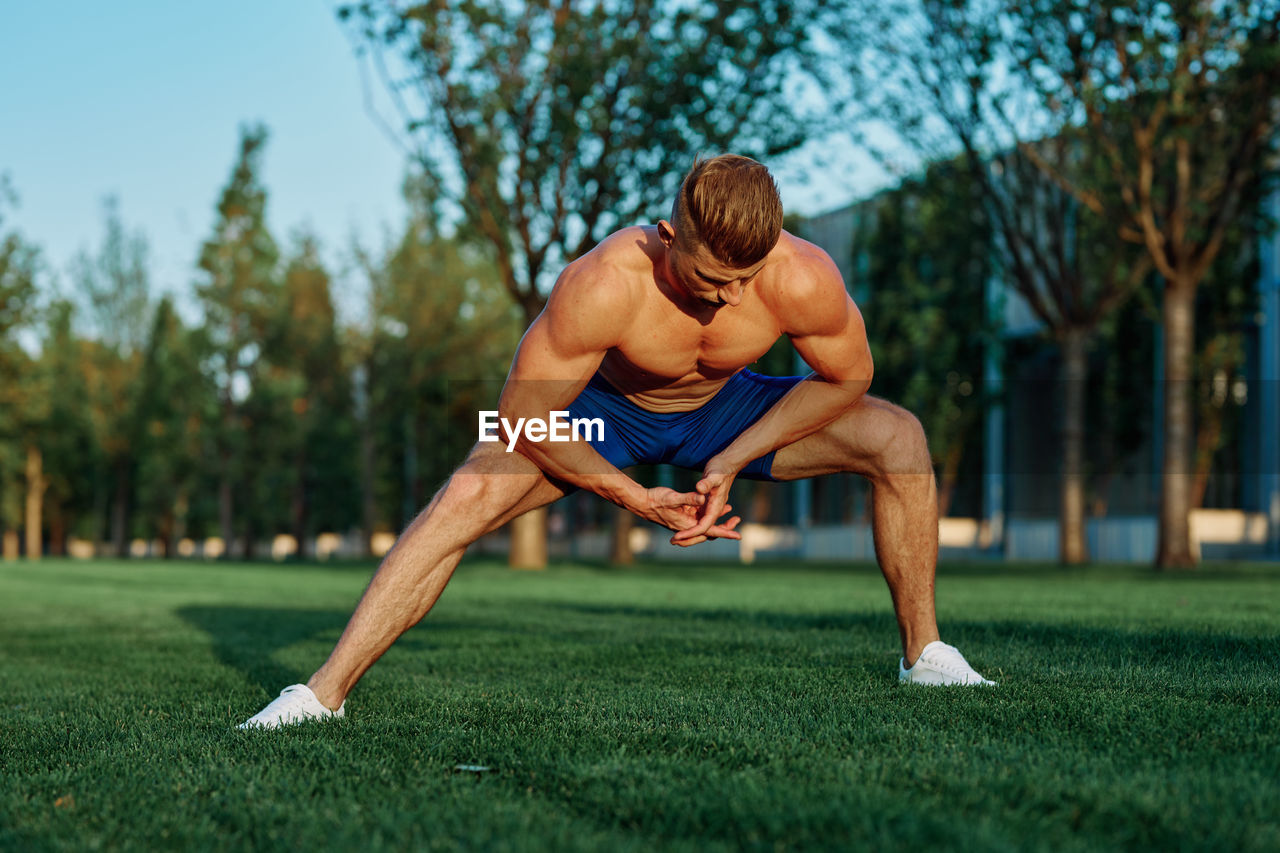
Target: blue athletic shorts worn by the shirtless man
x,y
636,436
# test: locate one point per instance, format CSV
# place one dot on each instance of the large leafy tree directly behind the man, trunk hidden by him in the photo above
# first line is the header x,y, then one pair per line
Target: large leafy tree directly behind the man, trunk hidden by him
x,y
543,126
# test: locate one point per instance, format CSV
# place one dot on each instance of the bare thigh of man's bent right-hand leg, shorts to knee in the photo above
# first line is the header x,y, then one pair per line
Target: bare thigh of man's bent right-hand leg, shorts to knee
x,y
858,443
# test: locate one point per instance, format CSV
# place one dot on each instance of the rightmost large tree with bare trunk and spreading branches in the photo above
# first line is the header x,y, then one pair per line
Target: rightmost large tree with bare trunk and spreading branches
x,y
1180,102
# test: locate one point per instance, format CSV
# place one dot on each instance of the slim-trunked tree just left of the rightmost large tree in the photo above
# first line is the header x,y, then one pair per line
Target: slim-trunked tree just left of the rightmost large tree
x,y
939,74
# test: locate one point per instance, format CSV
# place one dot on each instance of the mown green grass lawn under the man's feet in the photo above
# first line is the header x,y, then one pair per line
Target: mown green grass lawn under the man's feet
x,y
691,709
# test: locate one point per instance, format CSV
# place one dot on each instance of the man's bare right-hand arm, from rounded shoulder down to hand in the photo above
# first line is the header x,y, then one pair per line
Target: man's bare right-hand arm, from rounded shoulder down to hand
x,y
828,331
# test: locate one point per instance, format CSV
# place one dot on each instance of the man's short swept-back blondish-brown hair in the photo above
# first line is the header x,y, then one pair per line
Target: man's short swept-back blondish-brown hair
x,y
732,206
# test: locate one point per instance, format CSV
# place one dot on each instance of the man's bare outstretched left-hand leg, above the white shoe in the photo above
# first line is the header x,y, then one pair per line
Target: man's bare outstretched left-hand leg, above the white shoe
x,y
492,489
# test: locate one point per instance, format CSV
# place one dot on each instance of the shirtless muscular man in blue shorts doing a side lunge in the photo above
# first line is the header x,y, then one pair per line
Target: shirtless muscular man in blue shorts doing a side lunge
x,y
652,332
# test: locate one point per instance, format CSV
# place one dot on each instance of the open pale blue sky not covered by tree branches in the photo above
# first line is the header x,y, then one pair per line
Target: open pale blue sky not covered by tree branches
x,y
144,101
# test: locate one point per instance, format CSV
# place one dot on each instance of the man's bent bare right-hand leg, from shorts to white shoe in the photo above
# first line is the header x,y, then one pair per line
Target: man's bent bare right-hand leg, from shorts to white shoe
x,y
886,445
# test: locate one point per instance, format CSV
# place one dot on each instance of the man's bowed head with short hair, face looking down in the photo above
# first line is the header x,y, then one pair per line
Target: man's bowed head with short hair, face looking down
x,y
726,220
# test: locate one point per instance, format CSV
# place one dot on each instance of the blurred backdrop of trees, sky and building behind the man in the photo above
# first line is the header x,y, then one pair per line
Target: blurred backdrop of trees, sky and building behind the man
x,y
260,266
